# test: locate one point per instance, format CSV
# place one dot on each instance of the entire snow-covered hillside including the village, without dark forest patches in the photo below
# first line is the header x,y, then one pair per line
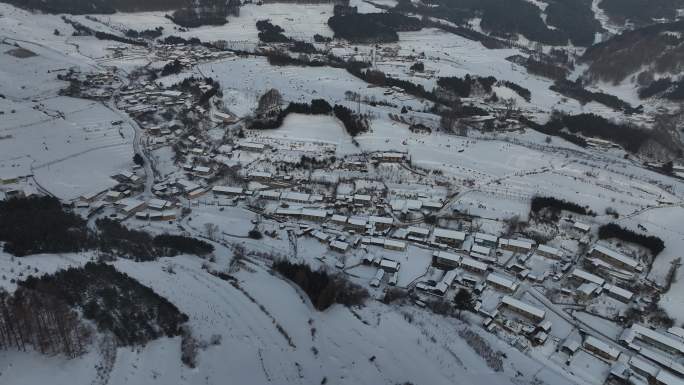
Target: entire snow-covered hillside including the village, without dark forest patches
x,y
156,136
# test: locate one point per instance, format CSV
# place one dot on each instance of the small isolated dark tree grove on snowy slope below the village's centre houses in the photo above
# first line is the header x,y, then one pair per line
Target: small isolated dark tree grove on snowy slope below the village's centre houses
x,y
322,288
